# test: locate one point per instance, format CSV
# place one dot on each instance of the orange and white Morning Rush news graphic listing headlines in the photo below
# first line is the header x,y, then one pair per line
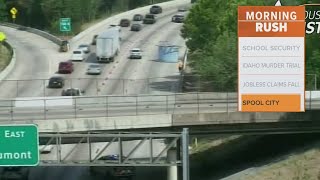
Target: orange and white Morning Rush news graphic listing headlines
x,y
271,58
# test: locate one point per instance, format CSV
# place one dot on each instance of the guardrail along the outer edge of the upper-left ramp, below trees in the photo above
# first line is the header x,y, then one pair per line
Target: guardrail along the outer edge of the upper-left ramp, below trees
x,y
43,34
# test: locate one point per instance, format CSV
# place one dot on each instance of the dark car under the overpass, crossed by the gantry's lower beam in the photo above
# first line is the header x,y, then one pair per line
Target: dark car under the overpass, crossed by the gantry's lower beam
x,y
126,172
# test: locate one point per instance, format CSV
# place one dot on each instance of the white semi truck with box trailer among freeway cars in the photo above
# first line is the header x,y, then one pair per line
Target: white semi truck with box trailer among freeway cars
x,y
108,44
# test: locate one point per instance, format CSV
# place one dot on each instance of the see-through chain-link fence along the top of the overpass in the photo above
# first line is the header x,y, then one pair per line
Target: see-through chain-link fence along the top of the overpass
x,y
103,86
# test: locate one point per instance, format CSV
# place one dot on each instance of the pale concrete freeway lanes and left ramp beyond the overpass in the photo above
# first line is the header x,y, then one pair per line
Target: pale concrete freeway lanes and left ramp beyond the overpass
x,y
122,68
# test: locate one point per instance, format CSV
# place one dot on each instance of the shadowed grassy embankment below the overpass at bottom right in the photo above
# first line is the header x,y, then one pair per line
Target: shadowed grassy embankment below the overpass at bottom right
x,y
218,157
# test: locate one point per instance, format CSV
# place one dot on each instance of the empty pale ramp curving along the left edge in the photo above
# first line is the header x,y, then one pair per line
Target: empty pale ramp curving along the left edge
x,y
36,58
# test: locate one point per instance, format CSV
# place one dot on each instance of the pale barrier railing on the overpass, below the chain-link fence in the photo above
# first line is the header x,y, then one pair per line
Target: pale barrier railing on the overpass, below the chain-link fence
x,y
43,108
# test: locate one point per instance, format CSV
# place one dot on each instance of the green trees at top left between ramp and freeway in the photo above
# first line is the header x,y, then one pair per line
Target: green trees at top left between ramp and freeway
x,y
45,14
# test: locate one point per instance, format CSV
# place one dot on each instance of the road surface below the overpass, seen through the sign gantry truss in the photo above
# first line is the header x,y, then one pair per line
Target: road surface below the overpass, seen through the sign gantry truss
x,y
76,173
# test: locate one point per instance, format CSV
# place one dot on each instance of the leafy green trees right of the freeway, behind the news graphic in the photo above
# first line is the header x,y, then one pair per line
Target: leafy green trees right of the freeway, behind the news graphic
x,y
211,33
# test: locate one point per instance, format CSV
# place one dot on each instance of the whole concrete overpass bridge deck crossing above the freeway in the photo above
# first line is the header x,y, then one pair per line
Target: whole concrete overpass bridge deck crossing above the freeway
x,y
100,113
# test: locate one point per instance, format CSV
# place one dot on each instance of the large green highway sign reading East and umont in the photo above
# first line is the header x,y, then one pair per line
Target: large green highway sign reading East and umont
x,y
19,145
